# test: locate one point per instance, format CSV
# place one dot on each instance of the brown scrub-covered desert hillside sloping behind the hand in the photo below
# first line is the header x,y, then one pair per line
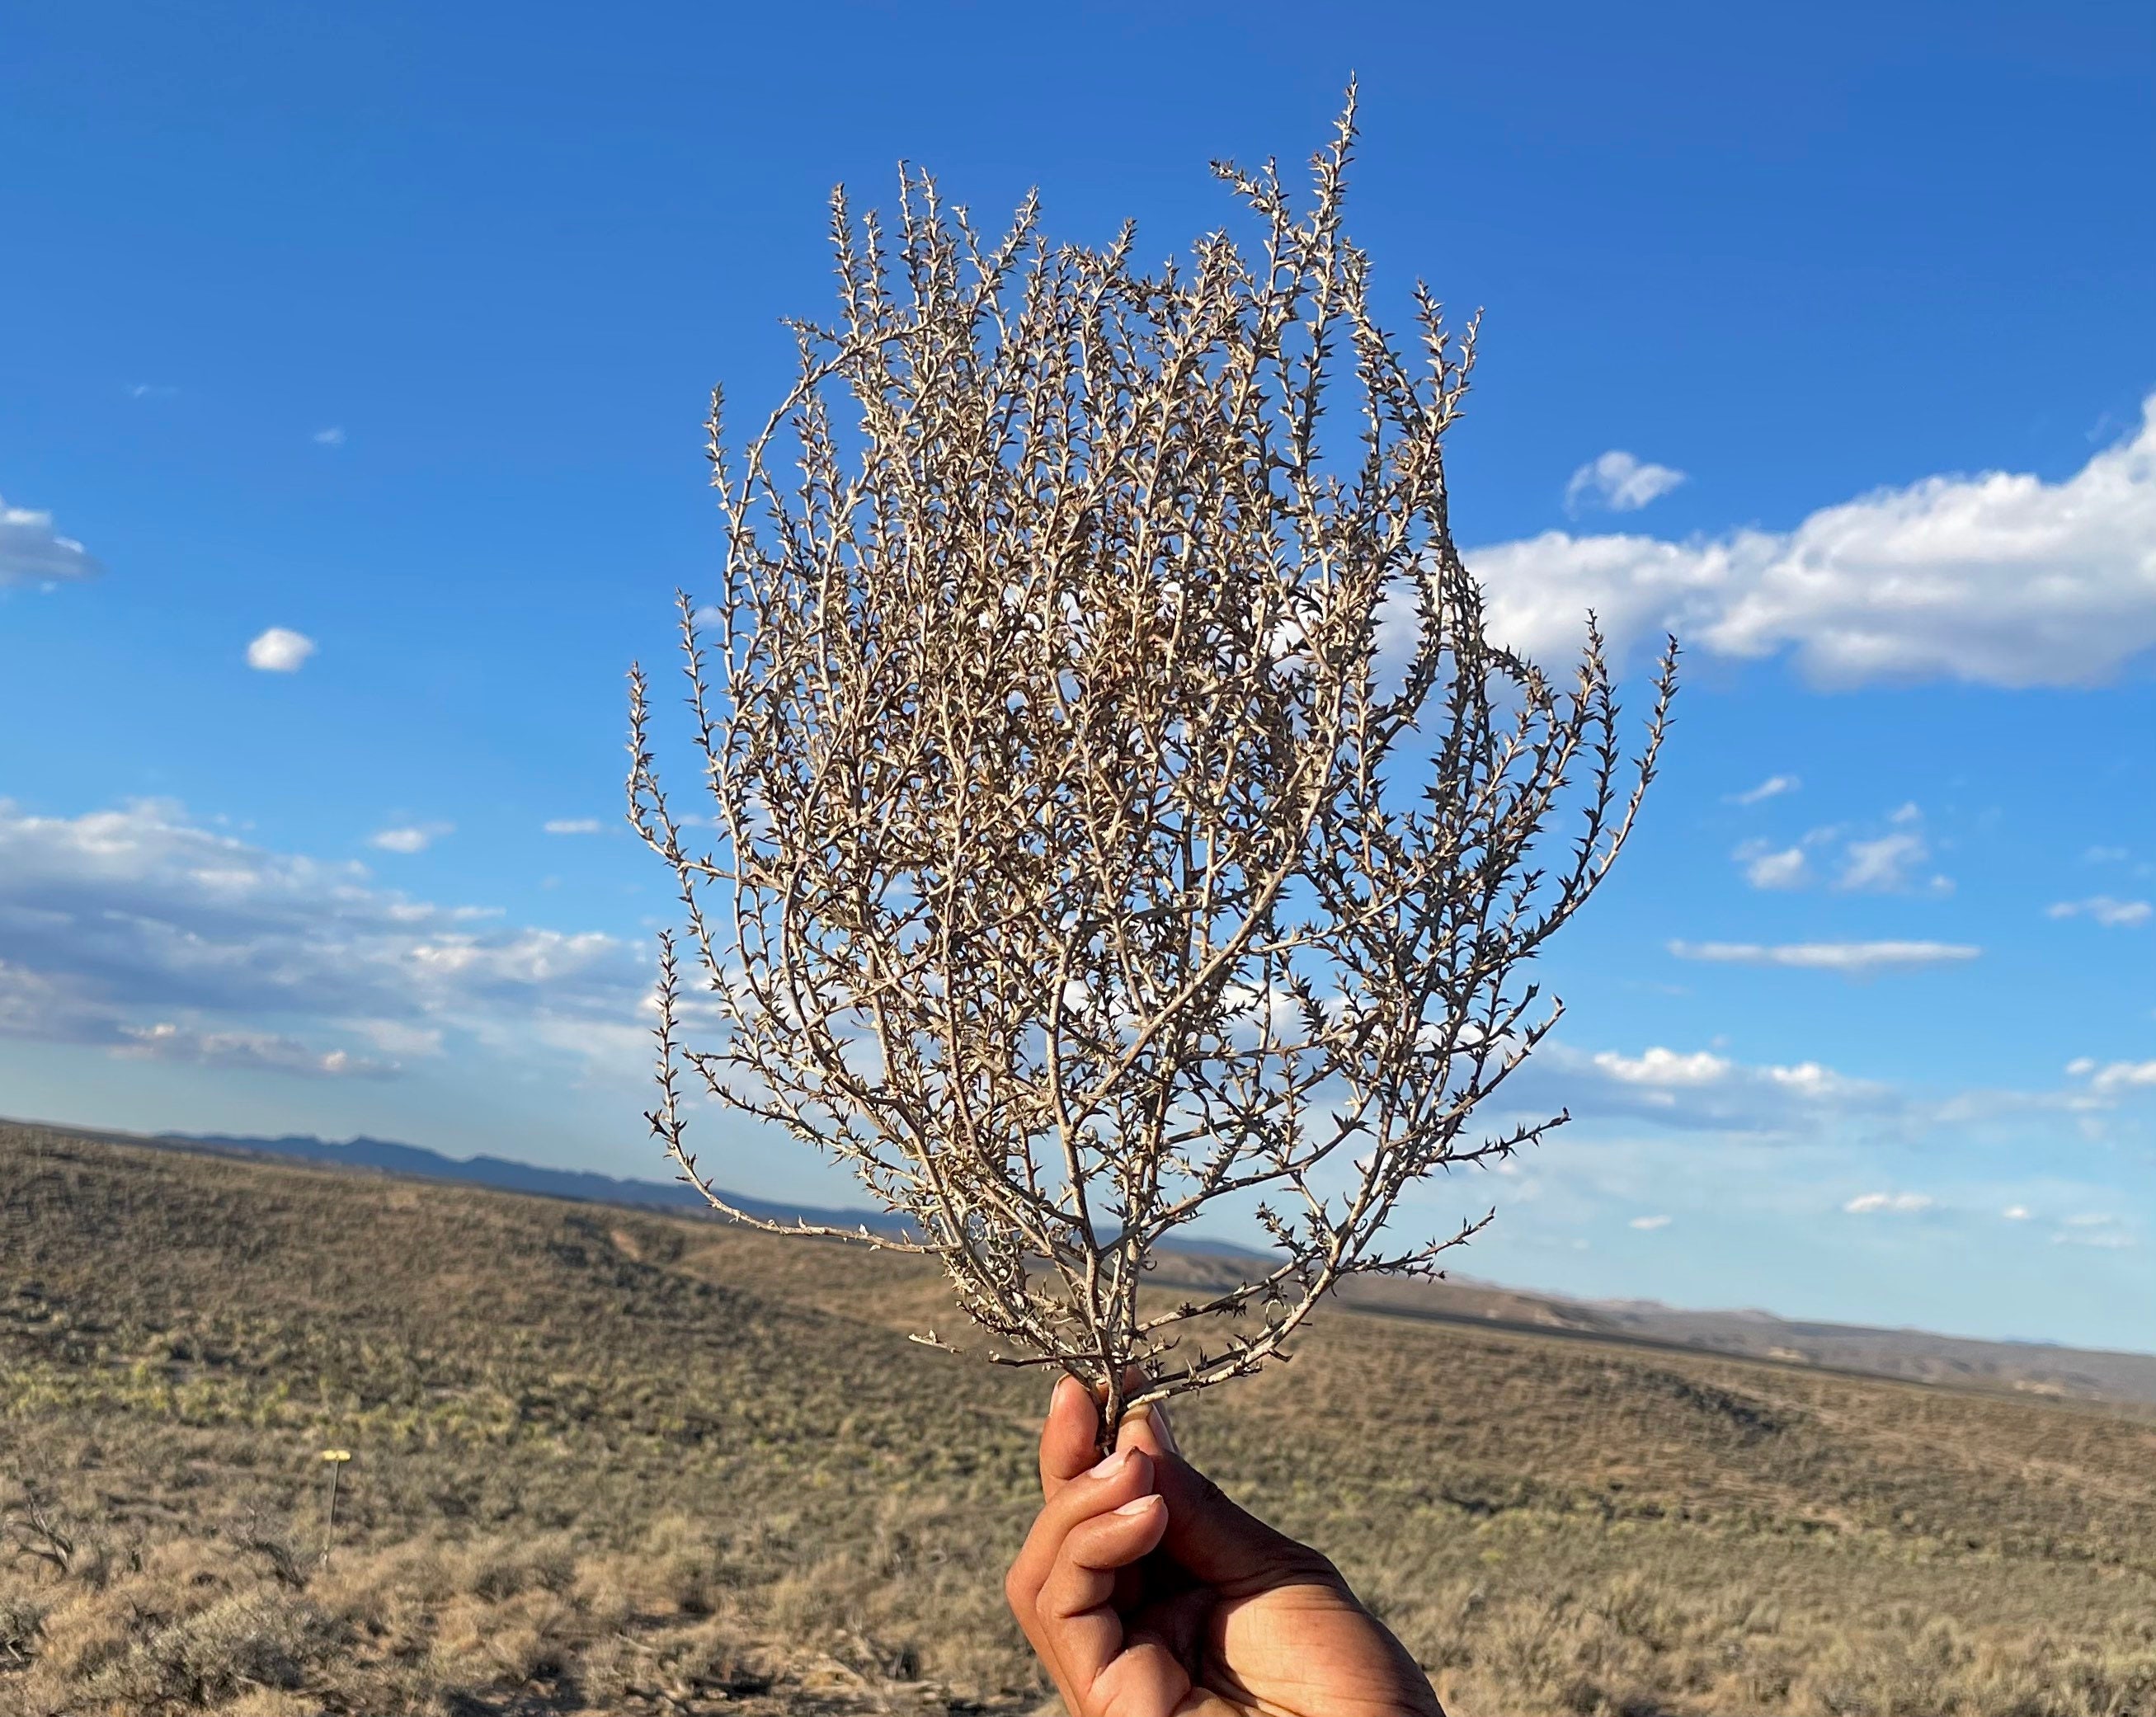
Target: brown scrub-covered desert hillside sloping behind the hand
x,y
622,1461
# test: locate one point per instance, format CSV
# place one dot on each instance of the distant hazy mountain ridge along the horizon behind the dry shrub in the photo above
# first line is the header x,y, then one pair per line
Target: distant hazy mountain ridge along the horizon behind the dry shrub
x,y
1913,1356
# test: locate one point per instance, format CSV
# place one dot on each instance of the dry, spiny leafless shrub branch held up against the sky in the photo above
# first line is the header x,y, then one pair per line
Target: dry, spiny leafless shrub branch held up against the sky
x,y
1075,873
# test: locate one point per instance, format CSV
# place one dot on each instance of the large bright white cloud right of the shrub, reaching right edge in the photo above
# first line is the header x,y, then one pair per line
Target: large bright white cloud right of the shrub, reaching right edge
x,y
2000,579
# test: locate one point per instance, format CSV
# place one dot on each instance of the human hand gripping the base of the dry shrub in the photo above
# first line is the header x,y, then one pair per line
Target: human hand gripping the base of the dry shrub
x,y
1150,1595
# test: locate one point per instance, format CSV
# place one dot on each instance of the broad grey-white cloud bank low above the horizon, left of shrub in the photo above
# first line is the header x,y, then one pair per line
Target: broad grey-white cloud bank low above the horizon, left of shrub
x,y
150,935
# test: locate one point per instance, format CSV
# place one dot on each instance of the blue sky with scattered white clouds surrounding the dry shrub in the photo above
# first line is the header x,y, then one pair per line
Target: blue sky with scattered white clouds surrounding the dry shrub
x,y
1823,338
